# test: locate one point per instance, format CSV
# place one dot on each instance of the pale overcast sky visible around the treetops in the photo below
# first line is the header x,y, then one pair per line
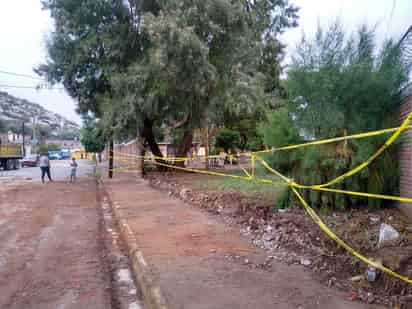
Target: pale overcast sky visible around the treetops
x,y
23,27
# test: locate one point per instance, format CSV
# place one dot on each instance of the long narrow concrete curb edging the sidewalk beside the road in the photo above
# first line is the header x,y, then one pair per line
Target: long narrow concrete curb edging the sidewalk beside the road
x,y
152,295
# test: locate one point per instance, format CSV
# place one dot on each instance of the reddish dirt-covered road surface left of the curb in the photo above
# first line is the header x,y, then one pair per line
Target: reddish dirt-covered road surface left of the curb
x,y
51,252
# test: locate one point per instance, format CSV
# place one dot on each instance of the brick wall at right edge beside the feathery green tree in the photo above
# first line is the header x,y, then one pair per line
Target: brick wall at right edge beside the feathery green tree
x,y
405,152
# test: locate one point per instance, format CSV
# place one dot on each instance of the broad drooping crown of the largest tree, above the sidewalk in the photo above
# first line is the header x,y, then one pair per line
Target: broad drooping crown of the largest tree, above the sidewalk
x,y
142,65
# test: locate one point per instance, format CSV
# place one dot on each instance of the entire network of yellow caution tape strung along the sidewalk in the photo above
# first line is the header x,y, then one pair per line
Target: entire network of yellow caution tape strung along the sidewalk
x,y
251,177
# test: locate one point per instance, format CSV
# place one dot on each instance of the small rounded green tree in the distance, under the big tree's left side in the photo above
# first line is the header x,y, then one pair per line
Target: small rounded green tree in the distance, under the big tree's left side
x,y
92,137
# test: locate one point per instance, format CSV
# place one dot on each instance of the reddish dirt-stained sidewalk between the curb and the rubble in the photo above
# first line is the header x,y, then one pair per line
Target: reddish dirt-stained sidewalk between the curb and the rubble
x,y
199,262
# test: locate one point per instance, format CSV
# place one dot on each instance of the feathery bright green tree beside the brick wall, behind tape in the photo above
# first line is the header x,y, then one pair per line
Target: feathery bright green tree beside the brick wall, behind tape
x,y
339,85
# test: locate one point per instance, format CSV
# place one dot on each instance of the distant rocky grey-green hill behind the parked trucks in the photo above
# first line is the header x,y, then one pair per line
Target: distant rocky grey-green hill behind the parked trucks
x,y
14,111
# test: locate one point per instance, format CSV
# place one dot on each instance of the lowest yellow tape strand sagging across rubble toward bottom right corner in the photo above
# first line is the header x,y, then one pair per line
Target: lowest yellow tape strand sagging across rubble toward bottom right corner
x,y
343,244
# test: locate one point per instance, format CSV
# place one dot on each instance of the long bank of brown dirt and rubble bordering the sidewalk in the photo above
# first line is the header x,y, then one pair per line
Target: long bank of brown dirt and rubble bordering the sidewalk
x,y
290,236
